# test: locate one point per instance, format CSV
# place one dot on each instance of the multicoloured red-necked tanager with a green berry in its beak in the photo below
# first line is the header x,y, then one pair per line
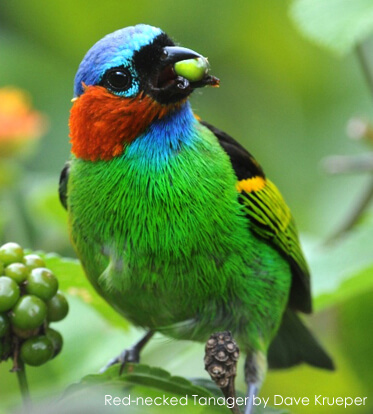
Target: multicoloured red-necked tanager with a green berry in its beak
x,y
175,223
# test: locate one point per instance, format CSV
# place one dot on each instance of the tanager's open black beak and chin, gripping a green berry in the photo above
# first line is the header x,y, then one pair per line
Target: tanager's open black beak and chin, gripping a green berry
x,y
167,86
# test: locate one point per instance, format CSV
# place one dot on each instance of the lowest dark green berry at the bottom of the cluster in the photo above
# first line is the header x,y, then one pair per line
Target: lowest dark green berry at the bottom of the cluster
x,y
36,351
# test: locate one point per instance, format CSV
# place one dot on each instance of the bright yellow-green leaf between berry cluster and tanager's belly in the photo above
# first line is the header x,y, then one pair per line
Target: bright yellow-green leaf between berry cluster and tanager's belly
x,y
73,281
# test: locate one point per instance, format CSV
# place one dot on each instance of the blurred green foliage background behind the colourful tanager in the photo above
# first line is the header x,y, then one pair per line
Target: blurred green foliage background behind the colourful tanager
x,y
287,100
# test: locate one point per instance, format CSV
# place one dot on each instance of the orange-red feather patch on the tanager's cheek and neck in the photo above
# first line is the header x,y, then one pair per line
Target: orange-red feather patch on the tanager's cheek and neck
x,y
101,124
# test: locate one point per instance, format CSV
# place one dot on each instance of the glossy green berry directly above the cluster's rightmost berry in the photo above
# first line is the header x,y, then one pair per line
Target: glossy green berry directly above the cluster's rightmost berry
x,y
41,282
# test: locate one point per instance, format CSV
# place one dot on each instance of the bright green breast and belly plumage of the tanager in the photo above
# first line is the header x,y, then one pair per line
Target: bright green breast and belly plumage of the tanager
x,y
165,241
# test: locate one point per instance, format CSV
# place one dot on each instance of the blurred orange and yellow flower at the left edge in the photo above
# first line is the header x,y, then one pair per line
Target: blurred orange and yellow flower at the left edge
x,y
20,125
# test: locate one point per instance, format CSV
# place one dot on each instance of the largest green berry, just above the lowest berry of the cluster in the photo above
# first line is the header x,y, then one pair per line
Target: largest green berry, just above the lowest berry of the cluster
x,y
29,313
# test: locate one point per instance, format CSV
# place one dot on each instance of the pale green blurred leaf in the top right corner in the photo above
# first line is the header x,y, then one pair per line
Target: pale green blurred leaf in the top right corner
x,y
336,24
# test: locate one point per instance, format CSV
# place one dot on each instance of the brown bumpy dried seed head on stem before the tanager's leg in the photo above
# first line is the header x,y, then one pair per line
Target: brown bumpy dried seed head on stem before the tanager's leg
x,y
221,356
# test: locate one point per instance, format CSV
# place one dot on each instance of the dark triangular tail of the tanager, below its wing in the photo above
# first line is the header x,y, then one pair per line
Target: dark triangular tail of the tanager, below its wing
x,y
294,344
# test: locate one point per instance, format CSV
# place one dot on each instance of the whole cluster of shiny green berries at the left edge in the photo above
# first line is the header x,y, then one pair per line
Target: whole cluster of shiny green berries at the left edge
x,y
29,301
